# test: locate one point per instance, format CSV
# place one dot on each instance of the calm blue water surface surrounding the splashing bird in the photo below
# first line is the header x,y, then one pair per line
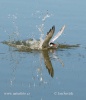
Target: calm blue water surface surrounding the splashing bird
x,y
23,75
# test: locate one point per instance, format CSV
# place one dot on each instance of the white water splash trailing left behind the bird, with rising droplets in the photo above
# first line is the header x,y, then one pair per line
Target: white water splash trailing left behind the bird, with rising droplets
x,y
29,43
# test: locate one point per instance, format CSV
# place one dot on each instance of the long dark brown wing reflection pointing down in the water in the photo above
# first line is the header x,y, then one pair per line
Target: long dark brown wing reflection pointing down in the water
x,y
48,63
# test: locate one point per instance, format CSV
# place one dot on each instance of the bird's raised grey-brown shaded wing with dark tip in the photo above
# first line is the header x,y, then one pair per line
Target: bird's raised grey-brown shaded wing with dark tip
x,y
48,37
